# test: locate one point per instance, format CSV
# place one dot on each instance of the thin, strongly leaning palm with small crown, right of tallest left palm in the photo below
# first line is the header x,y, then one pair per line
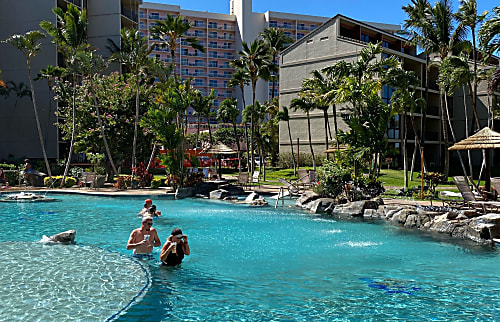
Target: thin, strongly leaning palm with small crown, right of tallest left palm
x,y
90,65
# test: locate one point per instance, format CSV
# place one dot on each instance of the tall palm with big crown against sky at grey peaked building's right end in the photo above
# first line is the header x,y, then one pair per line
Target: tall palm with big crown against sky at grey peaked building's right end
x,y
433,29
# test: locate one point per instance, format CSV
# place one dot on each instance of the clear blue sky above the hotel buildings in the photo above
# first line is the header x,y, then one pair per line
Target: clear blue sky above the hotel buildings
x,y
384,11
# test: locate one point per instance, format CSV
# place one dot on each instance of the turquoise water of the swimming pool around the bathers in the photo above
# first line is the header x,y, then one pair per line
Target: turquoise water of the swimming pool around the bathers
x,y
248,264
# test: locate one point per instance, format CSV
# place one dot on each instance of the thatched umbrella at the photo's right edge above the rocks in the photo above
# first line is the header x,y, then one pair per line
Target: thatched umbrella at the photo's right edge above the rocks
x,y
485,139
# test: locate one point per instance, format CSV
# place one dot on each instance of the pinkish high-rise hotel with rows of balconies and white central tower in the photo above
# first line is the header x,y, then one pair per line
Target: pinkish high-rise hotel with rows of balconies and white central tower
x,y
222,36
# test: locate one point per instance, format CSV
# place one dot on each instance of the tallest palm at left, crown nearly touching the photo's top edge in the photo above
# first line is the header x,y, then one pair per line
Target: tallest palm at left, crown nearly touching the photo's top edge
x,y
70,36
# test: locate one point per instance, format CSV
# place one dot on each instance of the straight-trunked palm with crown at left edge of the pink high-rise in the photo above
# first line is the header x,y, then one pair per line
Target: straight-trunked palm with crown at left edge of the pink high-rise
x,y
134,54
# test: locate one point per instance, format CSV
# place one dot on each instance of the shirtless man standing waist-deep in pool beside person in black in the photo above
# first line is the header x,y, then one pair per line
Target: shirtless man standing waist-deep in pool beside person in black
x,y
143,239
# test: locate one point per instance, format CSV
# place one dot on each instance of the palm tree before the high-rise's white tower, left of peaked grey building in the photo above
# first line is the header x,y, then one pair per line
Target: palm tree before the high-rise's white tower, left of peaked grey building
x,y
254,58
